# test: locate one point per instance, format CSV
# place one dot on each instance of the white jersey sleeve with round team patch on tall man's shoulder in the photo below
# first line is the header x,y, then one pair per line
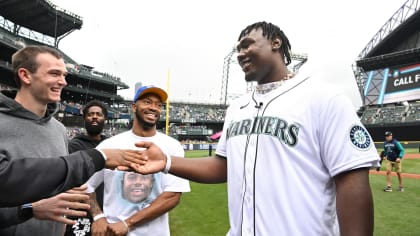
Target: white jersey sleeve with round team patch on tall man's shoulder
x,y
345,144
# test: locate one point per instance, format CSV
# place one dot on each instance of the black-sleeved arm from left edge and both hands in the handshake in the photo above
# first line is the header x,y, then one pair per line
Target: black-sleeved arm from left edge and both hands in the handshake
x,y
72,170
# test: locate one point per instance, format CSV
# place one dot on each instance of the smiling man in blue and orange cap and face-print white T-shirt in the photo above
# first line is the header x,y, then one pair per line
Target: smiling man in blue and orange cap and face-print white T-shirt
x,y
137,204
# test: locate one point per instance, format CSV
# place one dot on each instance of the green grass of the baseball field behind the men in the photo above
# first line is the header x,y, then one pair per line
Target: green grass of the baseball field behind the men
x,y
203,211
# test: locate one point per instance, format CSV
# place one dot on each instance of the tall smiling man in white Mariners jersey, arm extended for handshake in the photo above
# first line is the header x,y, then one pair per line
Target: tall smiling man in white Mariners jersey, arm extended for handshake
x,y
294,153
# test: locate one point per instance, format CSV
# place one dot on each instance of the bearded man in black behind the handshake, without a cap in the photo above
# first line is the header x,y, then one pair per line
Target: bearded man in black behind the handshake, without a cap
x,y
94,115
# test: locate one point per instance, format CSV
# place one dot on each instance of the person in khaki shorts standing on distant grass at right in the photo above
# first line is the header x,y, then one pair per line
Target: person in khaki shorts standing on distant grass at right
x,y
394,153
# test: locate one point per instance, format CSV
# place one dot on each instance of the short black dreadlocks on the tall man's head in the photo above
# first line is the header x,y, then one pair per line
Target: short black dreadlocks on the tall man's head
x,y
271,31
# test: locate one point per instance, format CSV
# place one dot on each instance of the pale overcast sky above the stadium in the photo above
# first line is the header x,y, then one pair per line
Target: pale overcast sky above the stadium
x,y
143,41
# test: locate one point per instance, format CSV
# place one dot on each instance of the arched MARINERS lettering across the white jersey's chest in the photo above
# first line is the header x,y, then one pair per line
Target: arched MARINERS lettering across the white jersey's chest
x,y
274,126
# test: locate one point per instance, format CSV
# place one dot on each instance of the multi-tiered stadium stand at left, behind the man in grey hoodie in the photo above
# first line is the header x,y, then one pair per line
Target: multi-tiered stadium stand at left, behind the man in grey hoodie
x,y
26,22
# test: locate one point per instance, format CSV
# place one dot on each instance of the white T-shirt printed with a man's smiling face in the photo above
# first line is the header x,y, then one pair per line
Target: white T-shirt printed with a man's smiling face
x,y
126,193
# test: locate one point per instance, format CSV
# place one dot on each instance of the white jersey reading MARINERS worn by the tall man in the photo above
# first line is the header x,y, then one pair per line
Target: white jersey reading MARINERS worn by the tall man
x,y
282,156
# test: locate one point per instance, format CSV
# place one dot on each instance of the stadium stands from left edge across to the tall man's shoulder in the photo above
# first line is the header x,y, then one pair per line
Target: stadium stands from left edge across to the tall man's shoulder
x,y
26,22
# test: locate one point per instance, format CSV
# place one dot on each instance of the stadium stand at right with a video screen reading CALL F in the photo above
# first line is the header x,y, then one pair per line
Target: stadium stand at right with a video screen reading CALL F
x,y
387,72
